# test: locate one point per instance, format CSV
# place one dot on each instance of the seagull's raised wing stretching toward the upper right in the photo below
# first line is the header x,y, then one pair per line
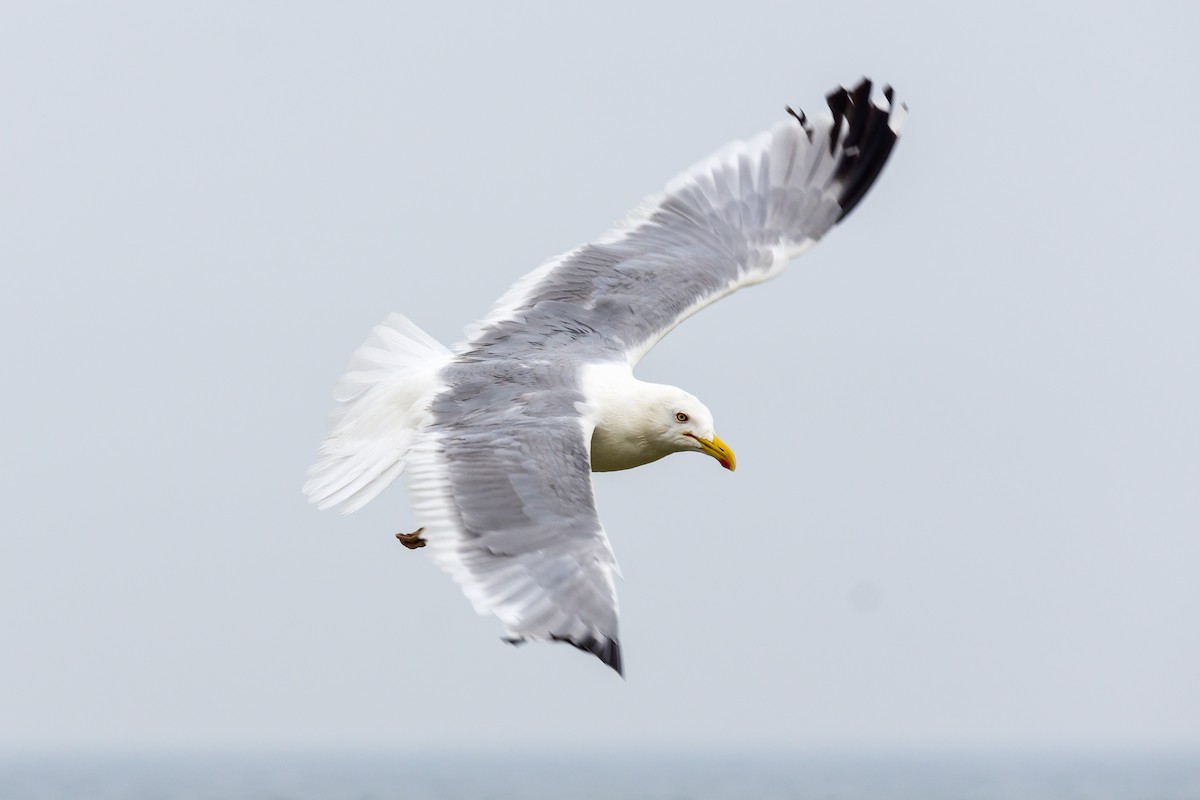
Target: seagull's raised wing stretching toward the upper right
x,y
734,220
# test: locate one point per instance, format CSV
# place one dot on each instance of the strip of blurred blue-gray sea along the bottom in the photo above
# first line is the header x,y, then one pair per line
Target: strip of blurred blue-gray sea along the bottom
x,y
586,778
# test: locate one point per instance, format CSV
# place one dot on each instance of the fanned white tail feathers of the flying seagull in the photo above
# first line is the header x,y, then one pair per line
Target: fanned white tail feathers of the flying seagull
x,y
383,400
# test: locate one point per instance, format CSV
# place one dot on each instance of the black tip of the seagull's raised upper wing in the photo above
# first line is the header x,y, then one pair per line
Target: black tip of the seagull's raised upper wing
x,y
871,133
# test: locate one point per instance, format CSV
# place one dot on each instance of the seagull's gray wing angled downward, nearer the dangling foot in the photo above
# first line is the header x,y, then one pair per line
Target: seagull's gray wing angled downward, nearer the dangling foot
x,y
502,482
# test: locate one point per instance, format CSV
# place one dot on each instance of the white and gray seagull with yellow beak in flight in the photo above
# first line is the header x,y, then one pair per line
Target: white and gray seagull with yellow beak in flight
x,y
500,435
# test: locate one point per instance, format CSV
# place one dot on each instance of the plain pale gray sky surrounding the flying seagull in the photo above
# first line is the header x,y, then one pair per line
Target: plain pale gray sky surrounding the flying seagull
x,y
967,513
